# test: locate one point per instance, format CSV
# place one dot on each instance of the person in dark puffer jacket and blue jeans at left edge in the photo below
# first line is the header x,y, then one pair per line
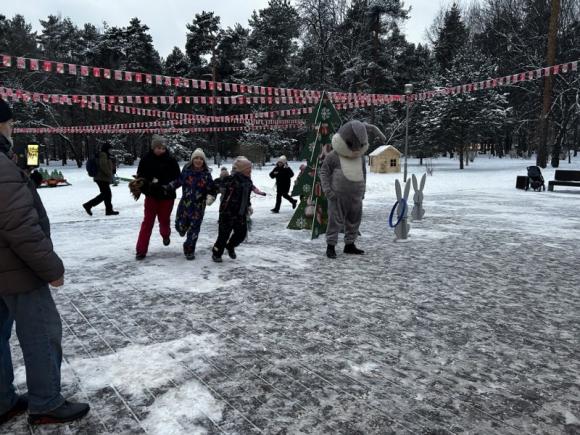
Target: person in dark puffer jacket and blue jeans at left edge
x,y
28,264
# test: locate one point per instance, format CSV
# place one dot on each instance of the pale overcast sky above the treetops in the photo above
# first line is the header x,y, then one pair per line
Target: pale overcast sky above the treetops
x,y
167,18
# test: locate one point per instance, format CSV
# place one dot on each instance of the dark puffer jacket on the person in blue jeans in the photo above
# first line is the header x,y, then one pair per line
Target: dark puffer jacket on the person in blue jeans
x,y
27,258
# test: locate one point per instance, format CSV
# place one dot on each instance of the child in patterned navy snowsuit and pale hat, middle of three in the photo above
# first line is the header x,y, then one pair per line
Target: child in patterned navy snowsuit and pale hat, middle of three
x,y
198,190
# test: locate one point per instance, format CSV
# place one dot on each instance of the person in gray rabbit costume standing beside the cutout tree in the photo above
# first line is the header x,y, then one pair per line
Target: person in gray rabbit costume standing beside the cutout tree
x,y
343,179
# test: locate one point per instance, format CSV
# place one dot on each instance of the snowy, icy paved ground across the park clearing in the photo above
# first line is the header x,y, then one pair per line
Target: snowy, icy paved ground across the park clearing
x,y
470,326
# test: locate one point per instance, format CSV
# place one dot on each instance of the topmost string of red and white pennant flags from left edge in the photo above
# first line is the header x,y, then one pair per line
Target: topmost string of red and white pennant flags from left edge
x,y
51,66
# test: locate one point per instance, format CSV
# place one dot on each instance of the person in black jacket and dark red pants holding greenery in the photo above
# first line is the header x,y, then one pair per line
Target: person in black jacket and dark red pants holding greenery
x,y
157,168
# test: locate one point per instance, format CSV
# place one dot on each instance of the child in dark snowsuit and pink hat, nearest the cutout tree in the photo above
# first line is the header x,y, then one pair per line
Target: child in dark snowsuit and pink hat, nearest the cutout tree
x,y
234,208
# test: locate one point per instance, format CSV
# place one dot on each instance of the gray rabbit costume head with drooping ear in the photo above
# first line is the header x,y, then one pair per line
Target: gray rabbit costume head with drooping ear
x,y
352,139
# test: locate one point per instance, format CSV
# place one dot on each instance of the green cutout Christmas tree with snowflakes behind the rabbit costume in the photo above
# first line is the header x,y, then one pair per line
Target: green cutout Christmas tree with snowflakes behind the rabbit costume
x,y
312,212
